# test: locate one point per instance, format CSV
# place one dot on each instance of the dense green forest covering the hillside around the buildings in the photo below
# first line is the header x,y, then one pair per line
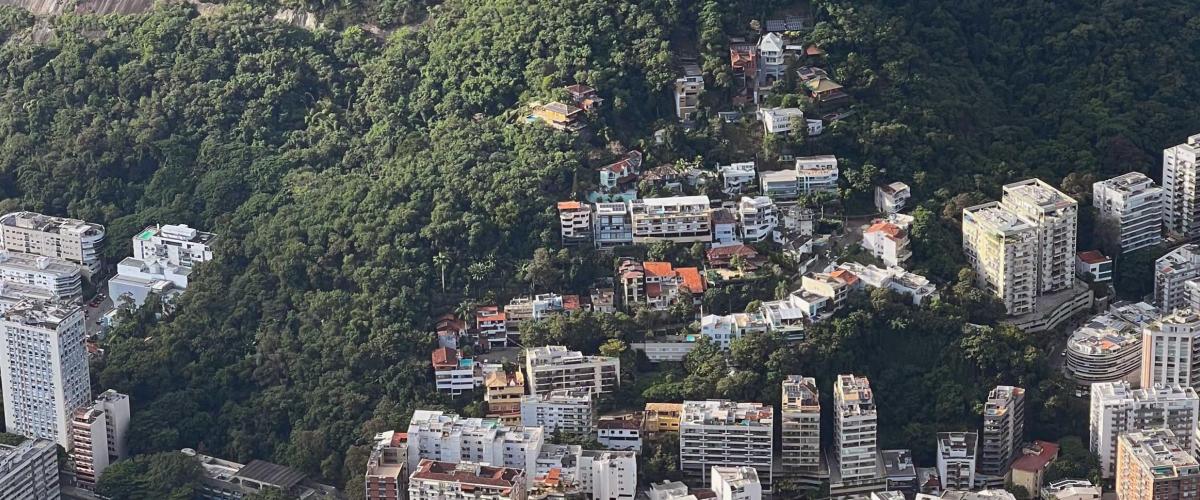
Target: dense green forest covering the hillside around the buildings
x,y
337,165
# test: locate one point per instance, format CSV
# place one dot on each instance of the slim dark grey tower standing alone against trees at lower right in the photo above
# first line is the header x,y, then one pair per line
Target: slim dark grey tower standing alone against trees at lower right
x,y
1004,430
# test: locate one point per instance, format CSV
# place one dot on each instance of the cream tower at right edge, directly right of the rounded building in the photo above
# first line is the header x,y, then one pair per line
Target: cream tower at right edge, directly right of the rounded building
x,y
1172,351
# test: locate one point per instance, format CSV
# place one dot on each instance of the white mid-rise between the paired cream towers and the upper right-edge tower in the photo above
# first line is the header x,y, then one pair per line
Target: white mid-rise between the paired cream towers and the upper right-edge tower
x,y
1135,204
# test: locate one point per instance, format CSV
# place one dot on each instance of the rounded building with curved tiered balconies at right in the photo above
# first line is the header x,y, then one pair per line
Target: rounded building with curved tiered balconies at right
x,y
1108,347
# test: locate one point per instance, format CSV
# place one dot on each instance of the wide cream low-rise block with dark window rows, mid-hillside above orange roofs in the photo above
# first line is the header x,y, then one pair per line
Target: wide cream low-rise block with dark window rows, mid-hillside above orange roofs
x,y
682,220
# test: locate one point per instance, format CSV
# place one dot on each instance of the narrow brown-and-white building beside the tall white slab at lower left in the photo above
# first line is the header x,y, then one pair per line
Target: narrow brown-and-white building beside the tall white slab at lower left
x,y
99,436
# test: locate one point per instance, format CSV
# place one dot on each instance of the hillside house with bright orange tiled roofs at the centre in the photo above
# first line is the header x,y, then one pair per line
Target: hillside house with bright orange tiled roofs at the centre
x,y
658,285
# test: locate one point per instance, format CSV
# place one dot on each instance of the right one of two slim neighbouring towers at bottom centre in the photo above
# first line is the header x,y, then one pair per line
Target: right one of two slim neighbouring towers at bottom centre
x,y
856,450
